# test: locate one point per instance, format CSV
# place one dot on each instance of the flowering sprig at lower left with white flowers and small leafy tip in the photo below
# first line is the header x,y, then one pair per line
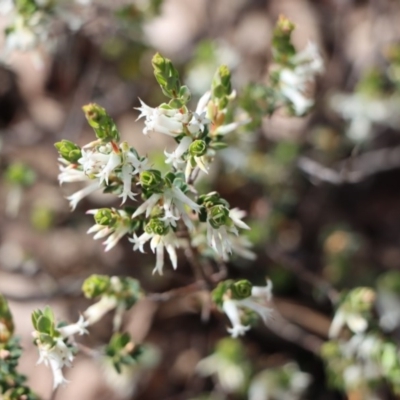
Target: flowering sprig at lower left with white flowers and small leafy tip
x,y
54,341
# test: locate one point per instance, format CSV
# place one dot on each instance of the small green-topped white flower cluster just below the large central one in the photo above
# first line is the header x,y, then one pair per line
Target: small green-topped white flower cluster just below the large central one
x,y
239,299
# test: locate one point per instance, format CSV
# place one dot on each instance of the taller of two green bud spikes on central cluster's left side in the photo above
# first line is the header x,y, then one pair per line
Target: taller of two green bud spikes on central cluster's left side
x,y
103,125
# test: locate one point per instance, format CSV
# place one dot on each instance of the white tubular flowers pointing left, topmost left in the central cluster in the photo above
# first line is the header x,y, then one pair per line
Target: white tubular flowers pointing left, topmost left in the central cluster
x,y
161,120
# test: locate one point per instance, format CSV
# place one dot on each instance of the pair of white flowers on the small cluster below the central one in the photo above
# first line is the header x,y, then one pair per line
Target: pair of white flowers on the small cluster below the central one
x,y
257,302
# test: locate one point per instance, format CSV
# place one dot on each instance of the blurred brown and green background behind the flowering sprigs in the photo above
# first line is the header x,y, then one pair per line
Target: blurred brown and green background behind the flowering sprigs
x,y
322,192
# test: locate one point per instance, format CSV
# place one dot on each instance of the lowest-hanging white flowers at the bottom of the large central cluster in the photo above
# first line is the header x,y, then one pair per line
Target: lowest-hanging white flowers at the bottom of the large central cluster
x,y
157,245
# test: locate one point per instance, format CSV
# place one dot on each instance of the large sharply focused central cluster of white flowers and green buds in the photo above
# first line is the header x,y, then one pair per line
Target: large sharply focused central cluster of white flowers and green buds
x,y
168,209
